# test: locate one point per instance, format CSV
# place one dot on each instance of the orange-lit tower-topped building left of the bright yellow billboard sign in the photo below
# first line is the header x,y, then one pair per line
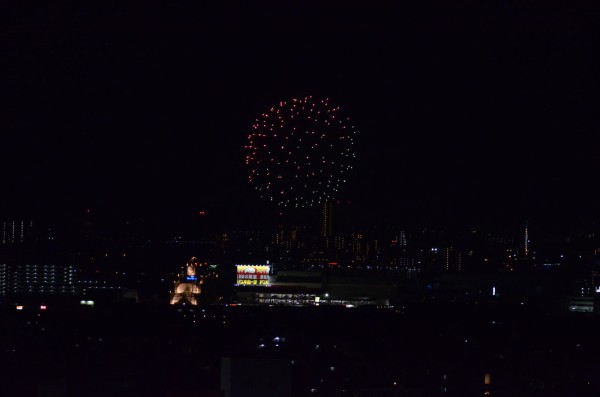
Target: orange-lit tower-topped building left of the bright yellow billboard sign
x,y
191,283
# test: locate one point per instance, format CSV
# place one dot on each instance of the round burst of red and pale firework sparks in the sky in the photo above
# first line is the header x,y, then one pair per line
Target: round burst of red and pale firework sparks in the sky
x,y
300,152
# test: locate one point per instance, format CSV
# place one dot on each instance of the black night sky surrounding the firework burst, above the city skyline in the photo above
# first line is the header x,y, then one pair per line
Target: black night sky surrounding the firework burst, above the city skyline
x,y
482,112
